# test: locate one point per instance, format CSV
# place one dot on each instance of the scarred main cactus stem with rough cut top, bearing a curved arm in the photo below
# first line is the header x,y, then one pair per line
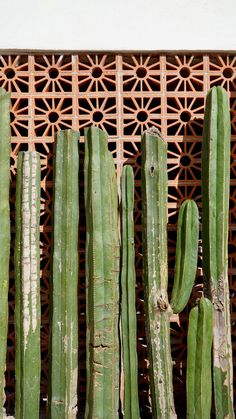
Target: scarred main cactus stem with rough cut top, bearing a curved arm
x,y
157,310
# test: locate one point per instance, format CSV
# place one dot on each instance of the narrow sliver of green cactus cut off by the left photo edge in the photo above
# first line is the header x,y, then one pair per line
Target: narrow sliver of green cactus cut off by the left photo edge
x,y
4,230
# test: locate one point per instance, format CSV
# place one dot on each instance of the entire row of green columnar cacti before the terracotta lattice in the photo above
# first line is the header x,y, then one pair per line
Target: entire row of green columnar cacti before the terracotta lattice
x,y
111,349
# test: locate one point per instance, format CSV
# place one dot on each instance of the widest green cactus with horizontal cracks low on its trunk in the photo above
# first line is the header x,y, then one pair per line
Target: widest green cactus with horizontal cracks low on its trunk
x,y
102,278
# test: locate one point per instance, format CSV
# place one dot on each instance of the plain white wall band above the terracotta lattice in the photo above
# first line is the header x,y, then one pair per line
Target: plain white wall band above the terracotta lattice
x,y
118,24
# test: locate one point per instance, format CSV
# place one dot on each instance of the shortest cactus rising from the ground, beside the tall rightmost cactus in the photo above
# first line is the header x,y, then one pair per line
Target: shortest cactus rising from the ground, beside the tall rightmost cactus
x,y
199,381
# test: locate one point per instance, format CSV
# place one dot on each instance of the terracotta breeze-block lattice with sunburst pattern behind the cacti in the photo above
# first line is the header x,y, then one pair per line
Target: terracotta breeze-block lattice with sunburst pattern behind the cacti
x,y
123,94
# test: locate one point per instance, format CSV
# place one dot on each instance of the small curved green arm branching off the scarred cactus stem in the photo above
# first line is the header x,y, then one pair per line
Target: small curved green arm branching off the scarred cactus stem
x,y
186,255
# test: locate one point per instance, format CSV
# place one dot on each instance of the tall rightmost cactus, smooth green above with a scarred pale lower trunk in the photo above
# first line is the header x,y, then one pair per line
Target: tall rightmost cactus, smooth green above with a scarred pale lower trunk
x,y
215,205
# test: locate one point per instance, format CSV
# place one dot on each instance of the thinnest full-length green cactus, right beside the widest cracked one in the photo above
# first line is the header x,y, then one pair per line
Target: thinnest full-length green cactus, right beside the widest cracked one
x,y
128,311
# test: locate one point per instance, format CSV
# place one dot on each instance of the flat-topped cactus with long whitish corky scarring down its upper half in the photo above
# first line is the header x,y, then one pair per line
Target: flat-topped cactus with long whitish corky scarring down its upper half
x,y
27,272
